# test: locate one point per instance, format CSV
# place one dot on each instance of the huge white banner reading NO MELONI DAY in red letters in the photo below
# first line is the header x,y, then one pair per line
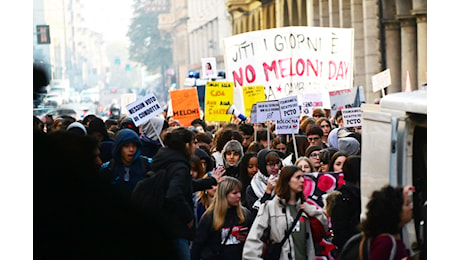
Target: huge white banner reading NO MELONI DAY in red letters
x,y
291,60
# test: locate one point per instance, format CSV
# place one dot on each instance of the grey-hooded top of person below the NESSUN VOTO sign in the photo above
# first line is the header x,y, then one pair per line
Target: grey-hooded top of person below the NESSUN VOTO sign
x,y
149,138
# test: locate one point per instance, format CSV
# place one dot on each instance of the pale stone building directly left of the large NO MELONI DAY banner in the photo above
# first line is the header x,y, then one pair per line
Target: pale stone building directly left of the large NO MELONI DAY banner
x,y
197,29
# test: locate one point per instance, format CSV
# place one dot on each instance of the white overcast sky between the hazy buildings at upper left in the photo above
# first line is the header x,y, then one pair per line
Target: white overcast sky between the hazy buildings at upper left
x,y
109,17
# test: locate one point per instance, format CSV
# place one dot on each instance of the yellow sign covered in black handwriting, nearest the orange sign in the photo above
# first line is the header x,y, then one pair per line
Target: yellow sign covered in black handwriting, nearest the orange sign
x,y
218,99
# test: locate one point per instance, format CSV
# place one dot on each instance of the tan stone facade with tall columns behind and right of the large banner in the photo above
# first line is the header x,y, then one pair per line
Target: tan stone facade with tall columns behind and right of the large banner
x,y
388,33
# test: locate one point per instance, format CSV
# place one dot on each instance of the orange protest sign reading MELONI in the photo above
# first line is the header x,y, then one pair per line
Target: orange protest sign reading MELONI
x,y
185,106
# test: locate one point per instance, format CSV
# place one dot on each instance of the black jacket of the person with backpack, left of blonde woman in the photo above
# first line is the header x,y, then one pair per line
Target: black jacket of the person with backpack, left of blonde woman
x,y
178,197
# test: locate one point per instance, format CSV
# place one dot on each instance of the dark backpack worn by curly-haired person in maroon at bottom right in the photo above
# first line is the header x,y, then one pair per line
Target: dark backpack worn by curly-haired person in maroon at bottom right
x,y
358,247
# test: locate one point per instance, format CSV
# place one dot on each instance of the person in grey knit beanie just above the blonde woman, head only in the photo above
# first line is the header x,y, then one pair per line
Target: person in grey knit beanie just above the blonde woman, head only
x,y
232,155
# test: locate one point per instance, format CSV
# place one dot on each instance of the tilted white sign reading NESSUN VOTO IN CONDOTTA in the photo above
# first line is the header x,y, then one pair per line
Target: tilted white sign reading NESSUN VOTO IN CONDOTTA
x,y
143,109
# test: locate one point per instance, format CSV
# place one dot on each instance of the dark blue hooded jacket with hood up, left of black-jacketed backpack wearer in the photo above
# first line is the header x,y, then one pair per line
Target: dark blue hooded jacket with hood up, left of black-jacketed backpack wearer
x,y
121,176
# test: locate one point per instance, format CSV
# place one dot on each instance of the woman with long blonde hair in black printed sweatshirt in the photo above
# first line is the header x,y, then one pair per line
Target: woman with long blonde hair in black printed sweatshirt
x,y
224,226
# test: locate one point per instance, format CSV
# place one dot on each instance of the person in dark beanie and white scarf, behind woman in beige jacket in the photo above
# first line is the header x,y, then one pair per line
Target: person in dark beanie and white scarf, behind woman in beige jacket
x,y
263,184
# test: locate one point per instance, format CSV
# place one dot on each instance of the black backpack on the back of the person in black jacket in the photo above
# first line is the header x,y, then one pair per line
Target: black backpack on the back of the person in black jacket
x,y
149,194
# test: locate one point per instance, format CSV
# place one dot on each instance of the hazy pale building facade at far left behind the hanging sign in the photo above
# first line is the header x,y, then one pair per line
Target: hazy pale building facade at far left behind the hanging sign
x,y
74,53
